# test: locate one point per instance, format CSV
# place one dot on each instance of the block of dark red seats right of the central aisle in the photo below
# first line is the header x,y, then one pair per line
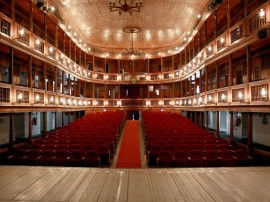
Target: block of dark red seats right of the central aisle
x,y
175,141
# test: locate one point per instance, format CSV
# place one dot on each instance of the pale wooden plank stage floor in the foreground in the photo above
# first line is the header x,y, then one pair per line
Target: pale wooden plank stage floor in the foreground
x,y
25,183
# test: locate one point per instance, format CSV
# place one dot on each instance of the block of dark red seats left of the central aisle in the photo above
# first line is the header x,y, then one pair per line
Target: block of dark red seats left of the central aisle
x,y
89,141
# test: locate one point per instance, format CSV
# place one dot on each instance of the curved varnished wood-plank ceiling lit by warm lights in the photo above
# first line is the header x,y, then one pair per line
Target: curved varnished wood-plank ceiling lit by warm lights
x,y
164,23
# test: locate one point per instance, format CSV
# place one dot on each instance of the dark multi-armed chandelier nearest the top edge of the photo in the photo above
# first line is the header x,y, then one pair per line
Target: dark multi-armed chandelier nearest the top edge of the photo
x,y
125,6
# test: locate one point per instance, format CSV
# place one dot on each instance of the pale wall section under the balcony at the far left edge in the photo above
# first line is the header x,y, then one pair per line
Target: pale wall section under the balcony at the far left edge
x,y
4,128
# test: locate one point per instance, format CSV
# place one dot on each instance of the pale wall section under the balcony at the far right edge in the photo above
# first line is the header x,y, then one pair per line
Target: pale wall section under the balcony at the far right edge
x,y
260,131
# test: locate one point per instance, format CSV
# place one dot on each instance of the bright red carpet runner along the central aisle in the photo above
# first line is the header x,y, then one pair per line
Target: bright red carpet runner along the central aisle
x,y
129,154
